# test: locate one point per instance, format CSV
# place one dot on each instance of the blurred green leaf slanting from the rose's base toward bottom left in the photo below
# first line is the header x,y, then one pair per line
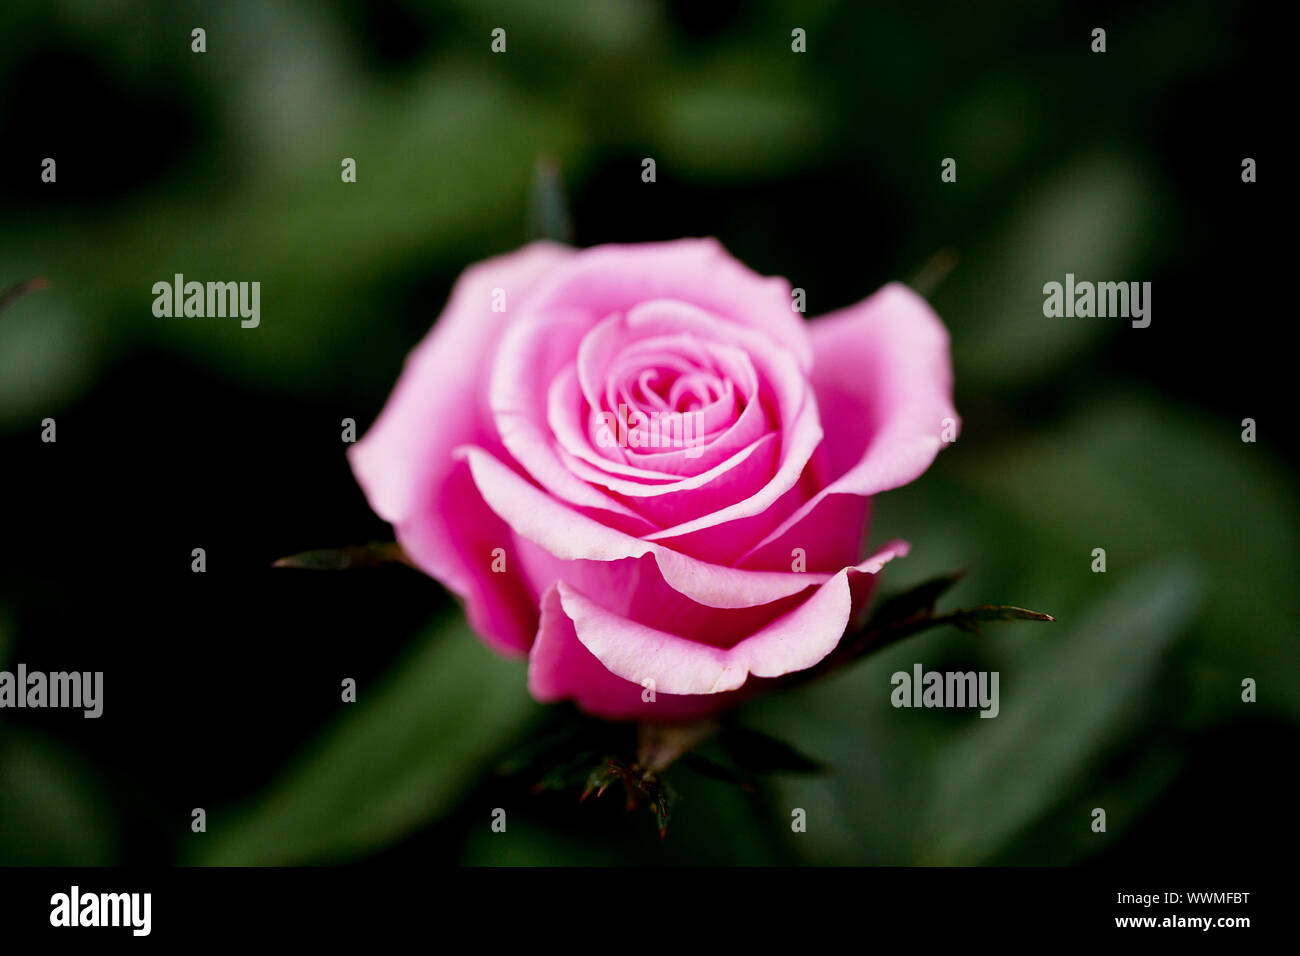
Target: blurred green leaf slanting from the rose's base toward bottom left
x,y
395,762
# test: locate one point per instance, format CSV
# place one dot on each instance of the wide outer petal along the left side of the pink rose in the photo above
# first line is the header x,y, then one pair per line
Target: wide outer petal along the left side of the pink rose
x,y
405,464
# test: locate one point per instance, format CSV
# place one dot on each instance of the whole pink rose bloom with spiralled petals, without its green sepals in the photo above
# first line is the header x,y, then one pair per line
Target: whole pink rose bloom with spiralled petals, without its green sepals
x,y
640,468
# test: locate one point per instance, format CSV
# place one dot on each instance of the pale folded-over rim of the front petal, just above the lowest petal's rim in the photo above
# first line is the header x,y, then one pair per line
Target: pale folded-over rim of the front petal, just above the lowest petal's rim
x,y
570,535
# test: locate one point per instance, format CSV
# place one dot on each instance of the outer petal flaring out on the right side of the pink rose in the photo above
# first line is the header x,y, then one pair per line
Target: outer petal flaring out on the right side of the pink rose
x,y
885,383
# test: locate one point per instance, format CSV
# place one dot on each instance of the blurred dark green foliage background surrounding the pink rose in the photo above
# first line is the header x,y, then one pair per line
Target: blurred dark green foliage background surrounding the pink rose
x,y
223,690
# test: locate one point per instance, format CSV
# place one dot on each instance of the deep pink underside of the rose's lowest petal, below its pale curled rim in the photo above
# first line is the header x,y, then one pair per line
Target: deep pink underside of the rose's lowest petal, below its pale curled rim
x,y
560,668
